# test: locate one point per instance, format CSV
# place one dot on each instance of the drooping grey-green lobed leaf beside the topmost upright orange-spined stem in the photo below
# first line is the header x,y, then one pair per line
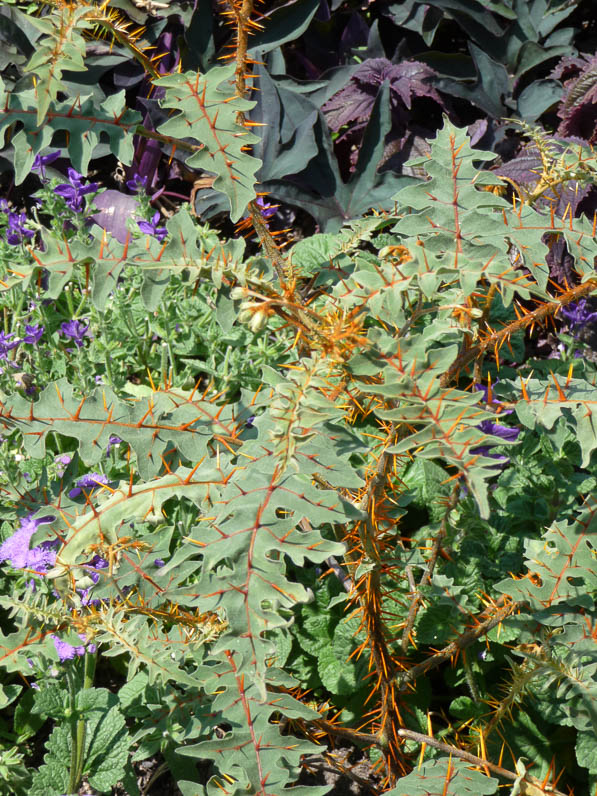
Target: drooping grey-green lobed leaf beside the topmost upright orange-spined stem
x,y
208,113
